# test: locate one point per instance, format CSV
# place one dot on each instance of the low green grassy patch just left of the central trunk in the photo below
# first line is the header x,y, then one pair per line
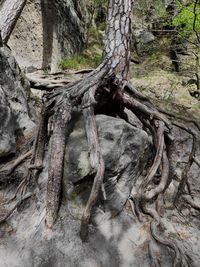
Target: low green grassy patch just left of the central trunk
x,y
78,61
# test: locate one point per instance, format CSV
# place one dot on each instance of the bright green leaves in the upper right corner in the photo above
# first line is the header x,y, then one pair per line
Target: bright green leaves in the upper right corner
x,y
185,18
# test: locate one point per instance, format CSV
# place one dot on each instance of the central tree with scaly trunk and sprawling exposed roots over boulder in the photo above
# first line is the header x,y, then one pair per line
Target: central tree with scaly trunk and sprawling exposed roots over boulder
x,y
106,90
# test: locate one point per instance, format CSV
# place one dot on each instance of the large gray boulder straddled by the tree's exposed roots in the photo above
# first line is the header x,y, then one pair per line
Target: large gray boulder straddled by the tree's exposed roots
x,y
125,150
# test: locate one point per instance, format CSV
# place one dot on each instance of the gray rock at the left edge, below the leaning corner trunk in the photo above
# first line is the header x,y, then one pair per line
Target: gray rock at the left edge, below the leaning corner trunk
x,y
14,107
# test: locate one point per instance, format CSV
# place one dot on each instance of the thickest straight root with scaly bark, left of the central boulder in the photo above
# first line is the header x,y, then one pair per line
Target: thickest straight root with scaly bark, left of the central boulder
x,y
57,151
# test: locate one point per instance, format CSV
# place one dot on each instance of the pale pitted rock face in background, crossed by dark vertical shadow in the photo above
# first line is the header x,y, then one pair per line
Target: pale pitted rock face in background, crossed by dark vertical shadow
x,y
47,31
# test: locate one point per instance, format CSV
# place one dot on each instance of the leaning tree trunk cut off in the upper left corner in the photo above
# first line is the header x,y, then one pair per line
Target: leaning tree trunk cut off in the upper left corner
x,y
10,11
